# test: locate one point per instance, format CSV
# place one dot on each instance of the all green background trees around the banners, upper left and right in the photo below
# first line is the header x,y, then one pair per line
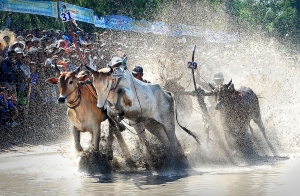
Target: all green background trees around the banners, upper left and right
x,y
279,18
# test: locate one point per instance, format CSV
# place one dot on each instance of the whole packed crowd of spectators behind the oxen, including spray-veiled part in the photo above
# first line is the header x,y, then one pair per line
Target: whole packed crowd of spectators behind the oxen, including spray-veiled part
x,y
27,58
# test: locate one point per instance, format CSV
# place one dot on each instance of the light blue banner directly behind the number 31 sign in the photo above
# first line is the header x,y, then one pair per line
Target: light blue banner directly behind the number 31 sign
x,y
78,13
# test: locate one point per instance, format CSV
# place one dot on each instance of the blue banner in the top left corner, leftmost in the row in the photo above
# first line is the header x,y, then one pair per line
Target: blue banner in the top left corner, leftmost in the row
x,y
46,8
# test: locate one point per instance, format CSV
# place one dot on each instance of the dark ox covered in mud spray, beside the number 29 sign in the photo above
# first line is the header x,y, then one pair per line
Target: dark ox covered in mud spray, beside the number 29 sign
x,y
237,108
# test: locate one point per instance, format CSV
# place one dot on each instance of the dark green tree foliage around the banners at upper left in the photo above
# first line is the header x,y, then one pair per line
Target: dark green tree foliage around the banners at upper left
x,y
139,9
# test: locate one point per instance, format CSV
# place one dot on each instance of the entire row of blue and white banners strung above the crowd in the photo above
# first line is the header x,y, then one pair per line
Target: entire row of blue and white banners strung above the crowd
x,y
68,12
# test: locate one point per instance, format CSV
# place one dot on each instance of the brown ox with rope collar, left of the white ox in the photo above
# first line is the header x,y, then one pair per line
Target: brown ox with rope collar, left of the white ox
x,y
82,112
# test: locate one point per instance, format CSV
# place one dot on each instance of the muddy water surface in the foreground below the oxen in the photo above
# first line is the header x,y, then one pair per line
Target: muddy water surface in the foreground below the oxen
x,y
46,170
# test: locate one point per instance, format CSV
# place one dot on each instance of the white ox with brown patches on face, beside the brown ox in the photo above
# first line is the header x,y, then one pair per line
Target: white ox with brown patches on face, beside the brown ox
x,y
144,103
